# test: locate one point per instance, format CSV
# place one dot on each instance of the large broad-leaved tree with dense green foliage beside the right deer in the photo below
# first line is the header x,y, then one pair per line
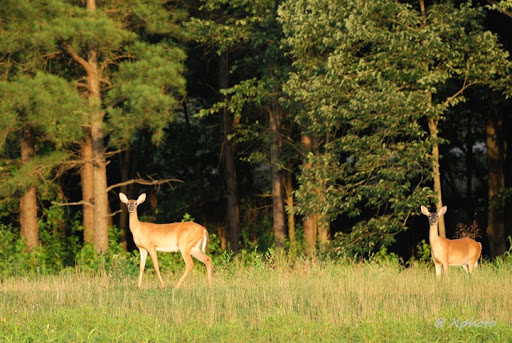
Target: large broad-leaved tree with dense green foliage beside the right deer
x,y
369,84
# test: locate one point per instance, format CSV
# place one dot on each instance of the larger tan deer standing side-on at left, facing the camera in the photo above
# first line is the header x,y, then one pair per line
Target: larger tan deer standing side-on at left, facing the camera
x,y
189,238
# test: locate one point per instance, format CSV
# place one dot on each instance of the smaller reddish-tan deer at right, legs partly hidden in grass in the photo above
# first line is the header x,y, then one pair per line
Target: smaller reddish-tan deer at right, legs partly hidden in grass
x,y
463,252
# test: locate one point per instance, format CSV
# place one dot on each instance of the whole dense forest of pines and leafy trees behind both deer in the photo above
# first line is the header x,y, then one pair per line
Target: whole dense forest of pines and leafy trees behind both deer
x,y
313,126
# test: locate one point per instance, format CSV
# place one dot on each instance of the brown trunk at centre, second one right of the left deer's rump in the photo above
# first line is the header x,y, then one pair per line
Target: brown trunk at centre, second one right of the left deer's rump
x,y
277,179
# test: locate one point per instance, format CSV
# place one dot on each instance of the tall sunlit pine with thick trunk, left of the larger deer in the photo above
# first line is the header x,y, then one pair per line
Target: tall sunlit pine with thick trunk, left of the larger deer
x,y
127,81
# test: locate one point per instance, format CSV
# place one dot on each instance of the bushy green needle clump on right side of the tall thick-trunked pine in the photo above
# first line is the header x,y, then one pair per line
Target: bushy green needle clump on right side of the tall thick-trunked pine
x,y
146,91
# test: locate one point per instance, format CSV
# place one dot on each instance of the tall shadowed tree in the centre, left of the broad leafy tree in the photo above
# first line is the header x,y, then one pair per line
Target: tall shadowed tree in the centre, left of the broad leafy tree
x,y
262,71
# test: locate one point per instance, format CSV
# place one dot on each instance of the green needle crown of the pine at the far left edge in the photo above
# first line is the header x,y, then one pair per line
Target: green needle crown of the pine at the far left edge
x,y
49,107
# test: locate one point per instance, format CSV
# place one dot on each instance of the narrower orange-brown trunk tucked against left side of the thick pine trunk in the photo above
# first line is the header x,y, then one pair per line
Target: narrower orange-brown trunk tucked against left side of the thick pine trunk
x,y
87,177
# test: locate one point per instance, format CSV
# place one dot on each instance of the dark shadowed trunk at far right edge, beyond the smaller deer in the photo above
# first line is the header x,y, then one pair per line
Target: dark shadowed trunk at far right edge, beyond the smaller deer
x,y
496,181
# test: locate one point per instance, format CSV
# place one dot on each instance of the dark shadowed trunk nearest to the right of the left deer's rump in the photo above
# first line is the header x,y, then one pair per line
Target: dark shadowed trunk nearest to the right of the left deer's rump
x,y
228,152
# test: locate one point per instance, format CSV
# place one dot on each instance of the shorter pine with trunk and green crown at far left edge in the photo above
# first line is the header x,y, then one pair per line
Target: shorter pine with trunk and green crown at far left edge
x,y
41,114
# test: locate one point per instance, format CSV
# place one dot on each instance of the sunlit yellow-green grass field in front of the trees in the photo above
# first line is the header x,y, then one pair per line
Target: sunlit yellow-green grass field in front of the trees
x,y
307,302
